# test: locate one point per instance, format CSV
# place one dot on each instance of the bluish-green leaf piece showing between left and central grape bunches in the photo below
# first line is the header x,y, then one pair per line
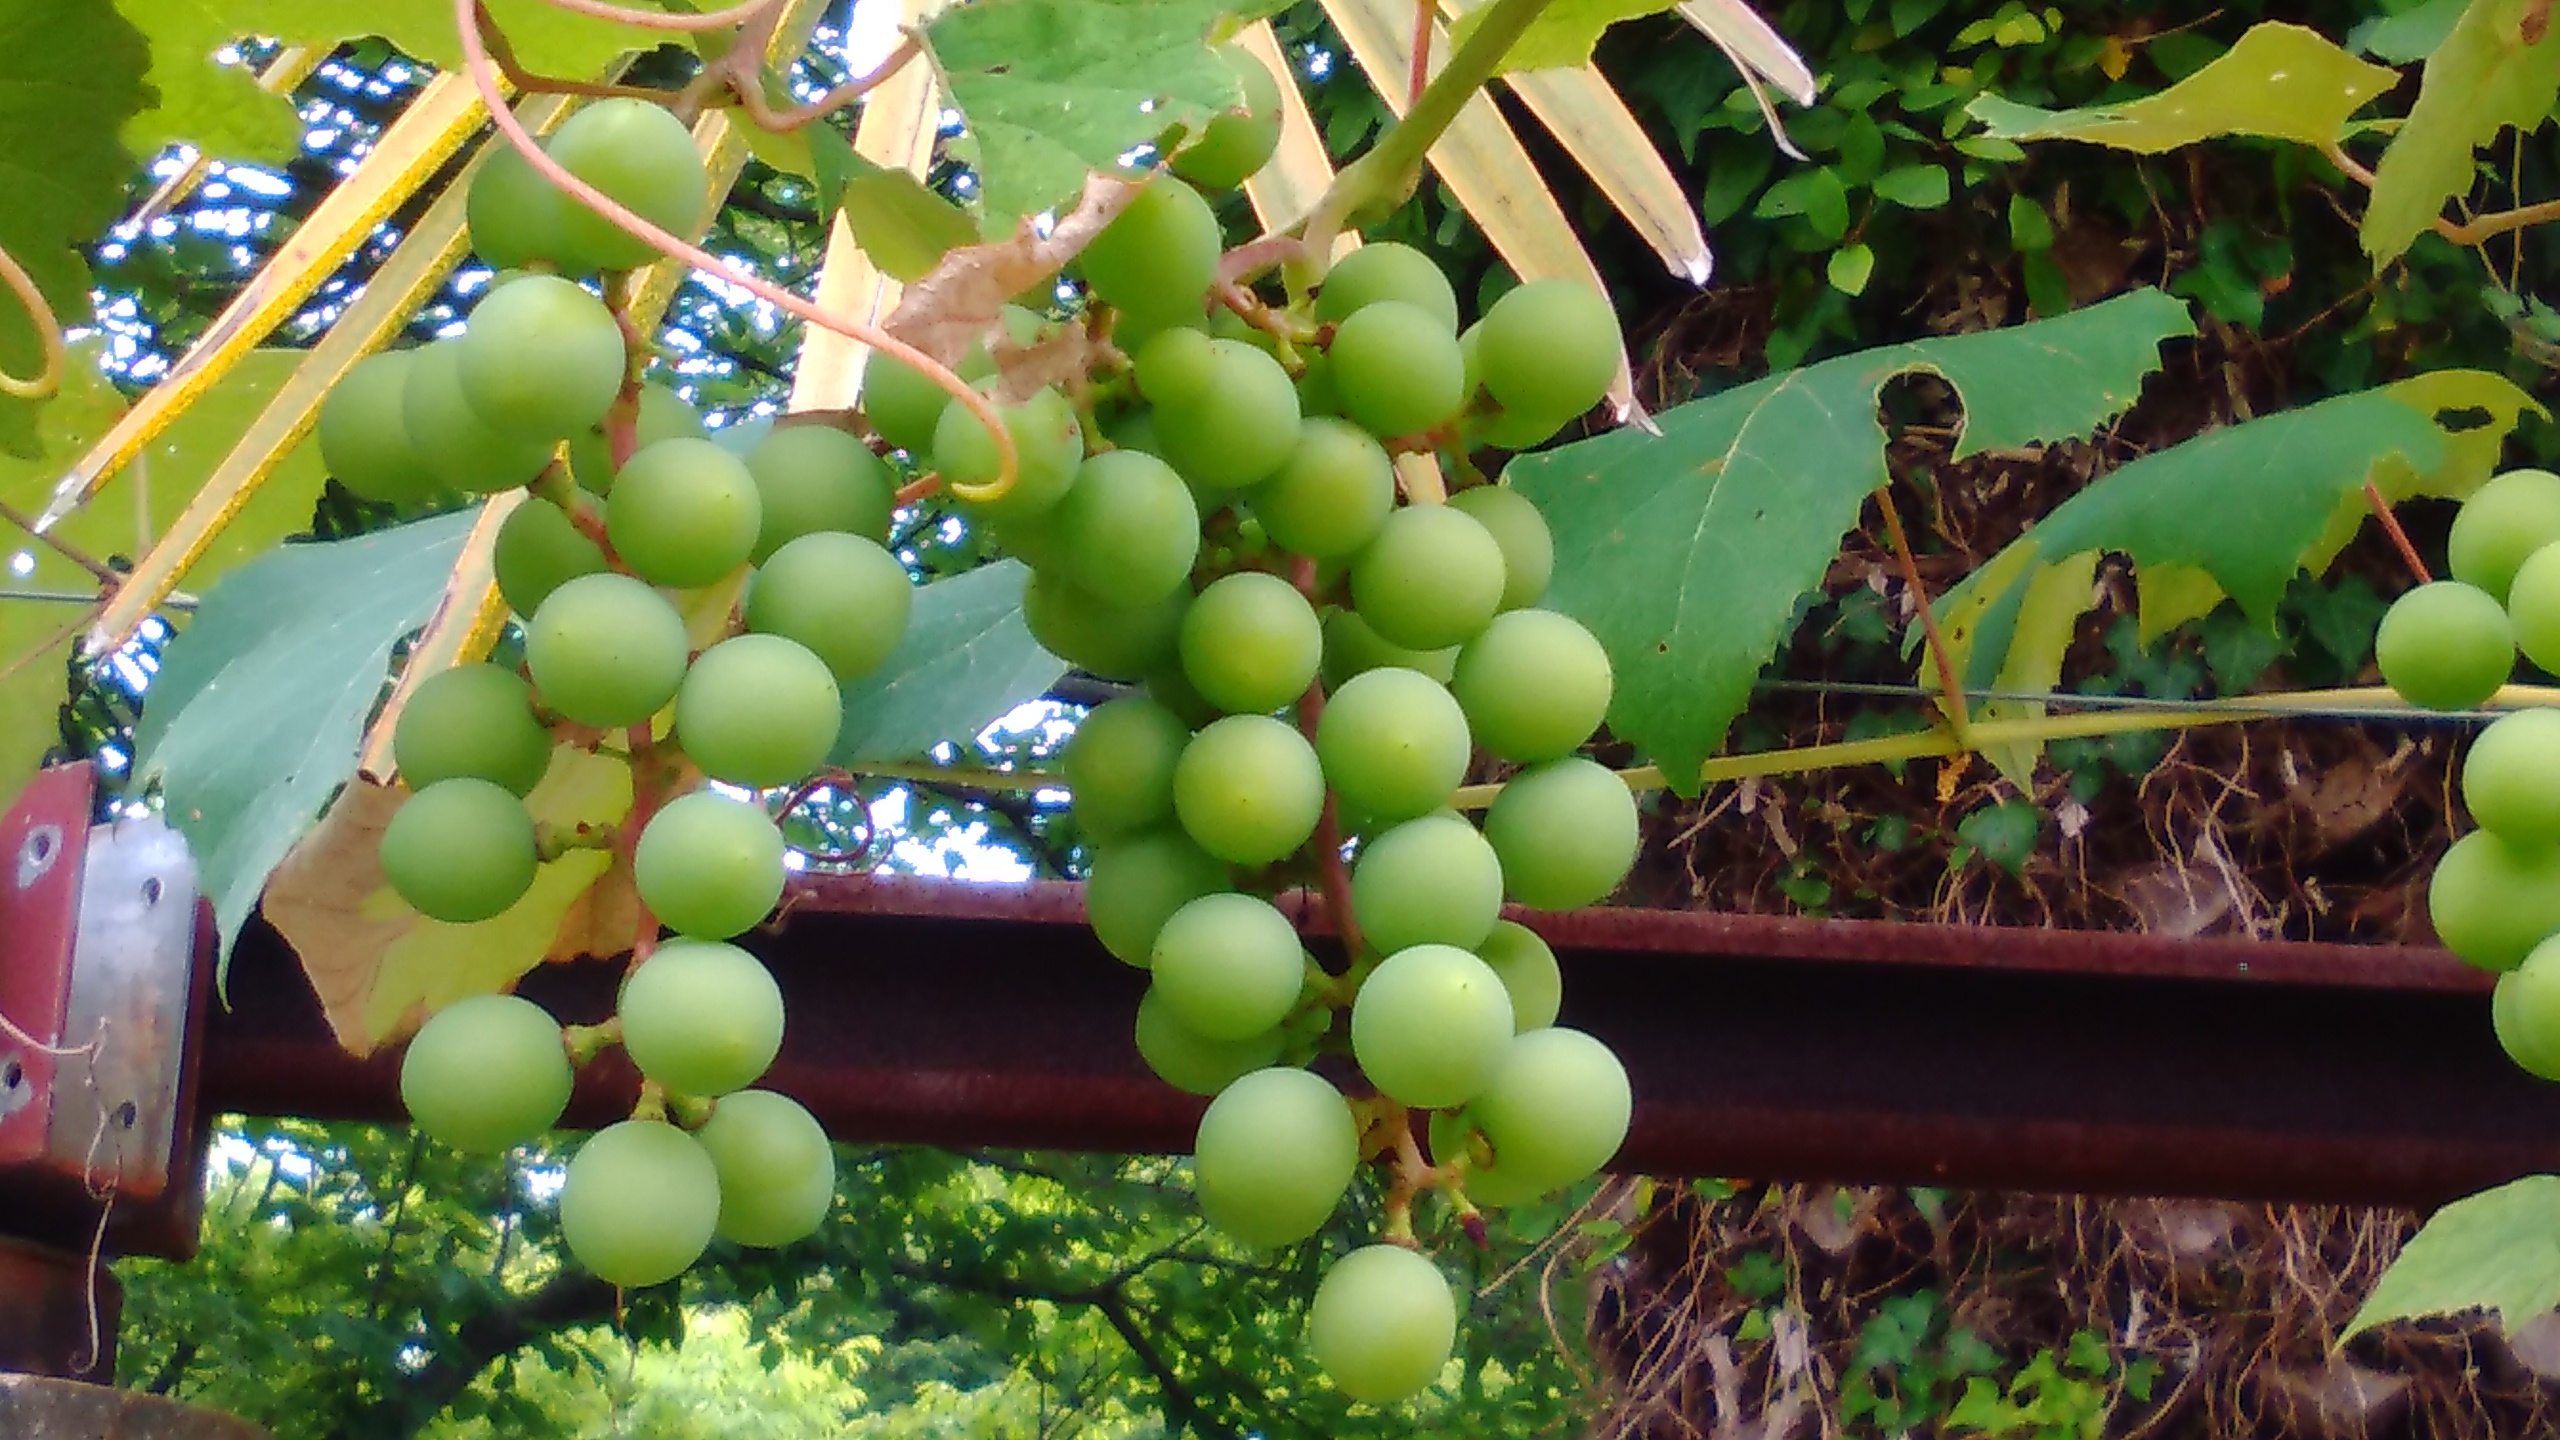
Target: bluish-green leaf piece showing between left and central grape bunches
x,y
964,662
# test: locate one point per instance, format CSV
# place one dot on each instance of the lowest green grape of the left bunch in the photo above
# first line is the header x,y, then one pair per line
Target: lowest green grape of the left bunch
x,y
641,1203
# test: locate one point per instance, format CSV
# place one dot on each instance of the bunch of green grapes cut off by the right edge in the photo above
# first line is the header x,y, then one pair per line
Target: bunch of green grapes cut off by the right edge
x,y
2451,644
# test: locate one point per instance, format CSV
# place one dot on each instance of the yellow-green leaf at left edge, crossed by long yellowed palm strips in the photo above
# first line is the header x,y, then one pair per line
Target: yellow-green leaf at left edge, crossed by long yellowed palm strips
x,y
111,524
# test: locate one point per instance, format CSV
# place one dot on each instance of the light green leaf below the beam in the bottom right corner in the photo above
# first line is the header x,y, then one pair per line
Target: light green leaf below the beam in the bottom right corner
x,y
2492,1252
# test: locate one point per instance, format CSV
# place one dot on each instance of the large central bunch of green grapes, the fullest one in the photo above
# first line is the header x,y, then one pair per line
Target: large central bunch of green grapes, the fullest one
x,y
1215,516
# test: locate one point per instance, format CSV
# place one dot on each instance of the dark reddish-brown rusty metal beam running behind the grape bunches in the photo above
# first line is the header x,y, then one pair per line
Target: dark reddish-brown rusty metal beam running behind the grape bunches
x,y
1760,1047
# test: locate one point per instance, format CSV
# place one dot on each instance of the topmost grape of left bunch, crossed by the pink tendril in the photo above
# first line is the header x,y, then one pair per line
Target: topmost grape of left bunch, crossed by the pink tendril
x,y
644,160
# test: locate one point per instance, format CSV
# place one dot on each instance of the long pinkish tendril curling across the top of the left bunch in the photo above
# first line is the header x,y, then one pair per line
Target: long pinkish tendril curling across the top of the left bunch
x,y
495,101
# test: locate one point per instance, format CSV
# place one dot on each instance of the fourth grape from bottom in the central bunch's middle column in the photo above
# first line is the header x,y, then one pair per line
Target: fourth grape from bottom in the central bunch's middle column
x,y
1394,744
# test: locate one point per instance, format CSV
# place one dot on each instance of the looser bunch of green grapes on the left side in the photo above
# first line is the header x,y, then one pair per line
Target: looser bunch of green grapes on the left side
x,y
636,519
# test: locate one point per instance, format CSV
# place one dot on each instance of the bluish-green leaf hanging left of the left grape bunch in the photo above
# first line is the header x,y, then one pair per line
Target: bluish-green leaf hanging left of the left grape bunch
x,y
260,703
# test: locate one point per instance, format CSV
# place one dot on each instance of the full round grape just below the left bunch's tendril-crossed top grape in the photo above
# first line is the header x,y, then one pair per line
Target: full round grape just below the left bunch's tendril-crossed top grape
x,y
541,360
